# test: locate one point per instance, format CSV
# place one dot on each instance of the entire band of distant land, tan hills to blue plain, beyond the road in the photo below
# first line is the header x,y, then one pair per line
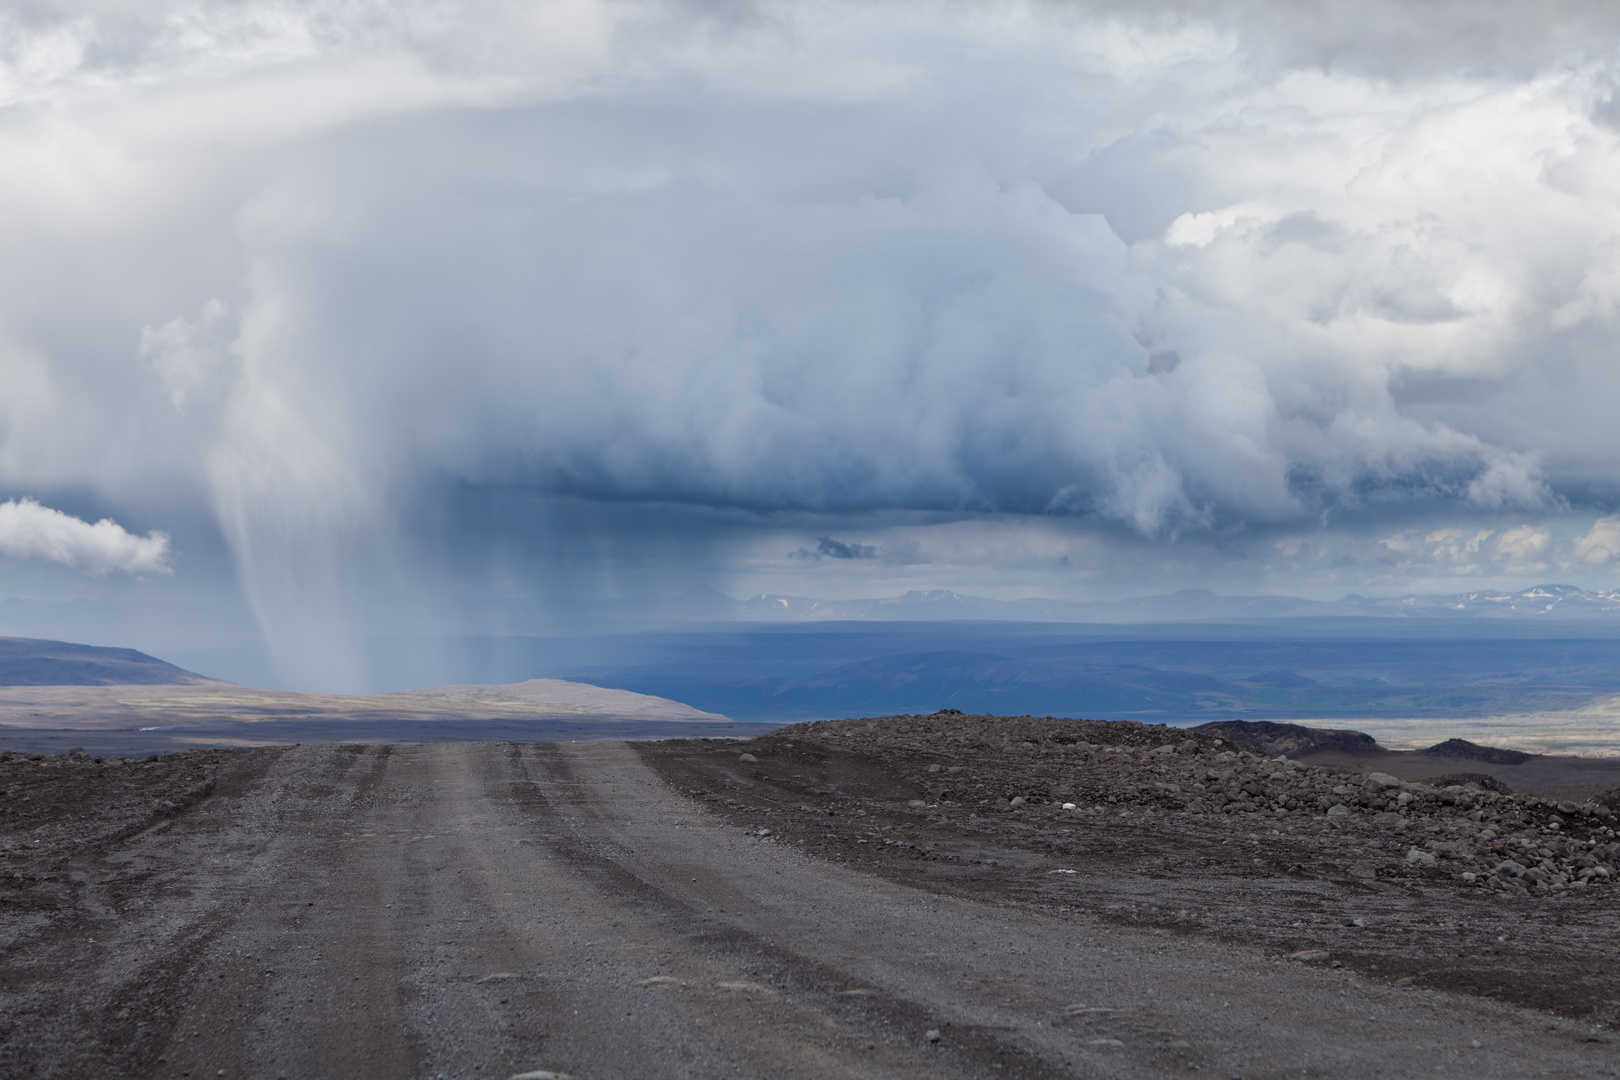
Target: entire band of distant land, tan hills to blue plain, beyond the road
x,y
1509,671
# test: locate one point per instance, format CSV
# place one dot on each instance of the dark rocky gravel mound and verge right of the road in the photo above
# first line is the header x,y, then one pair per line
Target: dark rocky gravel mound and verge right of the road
x,y
1412,895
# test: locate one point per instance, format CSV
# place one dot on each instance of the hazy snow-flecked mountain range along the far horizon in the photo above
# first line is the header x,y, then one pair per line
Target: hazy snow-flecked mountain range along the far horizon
x,y
1543,602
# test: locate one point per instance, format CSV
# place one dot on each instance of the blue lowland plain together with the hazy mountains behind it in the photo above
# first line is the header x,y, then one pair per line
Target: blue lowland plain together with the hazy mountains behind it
x,y
1537,668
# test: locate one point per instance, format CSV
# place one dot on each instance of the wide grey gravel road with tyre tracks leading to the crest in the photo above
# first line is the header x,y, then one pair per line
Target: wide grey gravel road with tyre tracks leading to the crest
x,y
500,911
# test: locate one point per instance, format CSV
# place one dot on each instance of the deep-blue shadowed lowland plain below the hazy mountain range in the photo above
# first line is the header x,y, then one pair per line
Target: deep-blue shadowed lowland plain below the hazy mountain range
x,y
1548,687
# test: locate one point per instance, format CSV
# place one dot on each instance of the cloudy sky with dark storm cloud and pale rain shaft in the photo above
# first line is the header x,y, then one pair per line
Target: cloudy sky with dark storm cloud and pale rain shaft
x,y
330,318
